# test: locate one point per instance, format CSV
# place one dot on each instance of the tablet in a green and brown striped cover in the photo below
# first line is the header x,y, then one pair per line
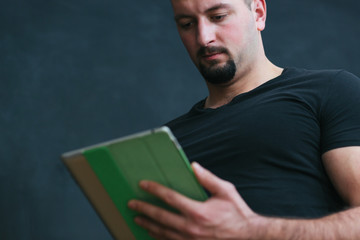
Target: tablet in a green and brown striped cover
x,y
109,174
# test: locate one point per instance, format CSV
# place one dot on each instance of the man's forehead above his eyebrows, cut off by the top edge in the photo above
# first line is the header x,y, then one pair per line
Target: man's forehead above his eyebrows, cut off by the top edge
x,y
200,6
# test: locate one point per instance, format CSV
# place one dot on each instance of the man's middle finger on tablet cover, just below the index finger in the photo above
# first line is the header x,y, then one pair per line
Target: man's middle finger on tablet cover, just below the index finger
x,y
166,218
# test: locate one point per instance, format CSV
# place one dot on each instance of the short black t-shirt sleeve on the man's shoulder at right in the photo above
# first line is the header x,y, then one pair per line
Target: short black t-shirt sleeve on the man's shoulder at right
x,y
340,112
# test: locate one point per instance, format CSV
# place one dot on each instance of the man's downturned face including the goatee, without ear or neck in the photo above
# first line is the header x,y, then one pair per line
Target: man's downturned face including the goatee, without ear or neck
x,y
221,36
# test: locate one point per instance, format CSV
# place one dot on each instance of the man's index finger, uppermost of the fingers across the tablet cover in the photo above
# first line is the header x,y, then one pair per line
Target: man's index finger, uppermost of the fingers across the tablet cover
x,y
174,199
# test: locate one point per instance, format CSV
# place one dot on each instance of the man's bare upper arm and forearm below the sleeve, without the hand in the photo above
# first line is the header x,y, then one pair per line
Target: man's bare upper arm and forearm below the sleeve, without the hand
x,y
343,168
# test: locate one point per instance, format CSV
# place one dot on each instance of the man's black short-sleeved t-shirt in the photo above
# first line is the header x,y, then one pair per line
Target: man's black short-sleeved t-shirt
x,y
268,142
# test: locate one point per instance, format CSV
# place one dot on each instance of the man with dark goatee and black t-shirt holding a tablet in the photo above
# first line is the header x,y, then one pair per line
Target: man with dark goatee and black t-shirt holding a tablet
x,y
287,139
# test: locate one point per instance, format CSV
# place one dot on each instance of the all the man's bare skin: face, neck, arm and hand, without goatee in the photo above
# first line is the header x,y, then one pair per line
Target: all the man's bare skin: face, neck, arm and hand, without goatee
x,y
230,24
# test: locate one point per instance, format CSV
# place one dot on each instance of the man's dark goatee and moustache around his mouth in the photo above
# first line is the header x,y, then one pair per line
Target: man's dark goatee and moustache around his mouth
x,y
217,74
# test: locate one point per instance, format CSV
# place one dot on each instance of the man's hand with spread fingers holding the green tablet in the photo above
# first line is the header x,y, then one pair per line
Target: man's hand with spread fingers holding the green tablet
x,y
223,216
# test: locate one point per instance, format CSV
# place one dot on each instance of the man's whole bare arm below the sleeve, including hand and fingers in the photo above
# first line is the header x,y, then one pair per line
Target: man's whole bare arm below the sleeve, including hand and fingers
x,y
226,216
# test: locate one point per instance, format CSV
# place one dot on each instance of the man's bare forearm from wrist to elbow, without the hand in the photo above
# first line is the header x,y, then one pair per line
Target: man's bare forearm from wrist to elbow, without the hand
x,y
343,225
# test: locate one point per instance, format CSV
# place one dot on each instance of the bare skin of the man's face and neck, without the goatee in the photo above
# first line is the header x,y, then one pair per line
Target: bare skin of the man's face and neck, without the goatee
x,y
203,24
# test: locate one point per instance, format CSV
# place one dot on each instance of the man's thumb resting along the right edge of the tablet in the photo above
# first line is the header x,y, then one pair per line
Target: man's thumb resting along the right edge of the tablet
x,y
212,183
